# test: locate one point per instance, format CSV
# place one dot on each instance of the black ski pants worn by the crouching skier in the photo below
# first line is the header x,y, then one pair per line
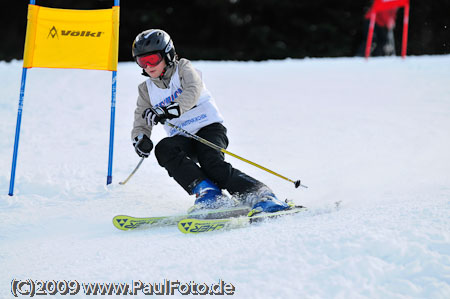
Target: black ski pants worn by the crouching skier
x,y
189,161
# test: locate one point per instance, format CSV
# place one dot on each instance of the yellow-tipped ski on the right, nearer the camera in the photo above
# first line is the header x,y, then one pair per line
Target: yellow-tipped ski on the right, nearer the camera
x,y
195,226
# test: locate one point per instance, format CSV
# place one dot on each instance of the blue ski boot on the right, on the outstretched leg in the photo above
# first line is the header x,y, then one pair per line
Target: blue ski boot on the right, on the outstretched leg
x,y
264,201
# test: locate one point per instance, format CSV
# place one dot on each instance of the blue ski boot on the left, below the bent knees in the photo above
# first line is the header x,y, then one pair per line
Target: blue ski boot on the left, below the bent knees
x,y
208,196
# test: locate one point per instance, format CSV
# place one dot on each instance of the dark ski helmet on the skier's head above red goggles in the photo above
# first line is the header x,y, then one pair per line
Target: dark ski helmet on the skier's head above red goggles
x,y
154,41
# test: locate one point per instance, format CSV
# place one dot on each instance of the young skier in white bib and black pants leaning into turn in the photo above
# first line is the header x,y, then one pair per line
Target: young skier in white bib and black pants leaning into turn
x,y
176,93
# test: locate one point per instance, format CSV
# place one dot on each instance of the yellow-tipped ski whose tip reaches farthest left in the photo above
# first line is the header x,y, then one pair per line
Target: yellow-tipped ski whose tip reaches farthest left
x,y
124,222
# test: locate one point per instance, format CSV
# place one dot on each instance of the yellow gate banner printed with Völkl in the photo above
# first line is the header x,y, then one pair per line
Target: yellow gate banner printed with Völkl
x,y
67,38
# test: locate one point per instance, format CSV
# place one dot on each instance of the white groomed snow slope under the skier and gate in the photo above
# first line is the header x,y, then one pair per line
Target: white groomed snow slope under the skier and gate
x,y
374,136
